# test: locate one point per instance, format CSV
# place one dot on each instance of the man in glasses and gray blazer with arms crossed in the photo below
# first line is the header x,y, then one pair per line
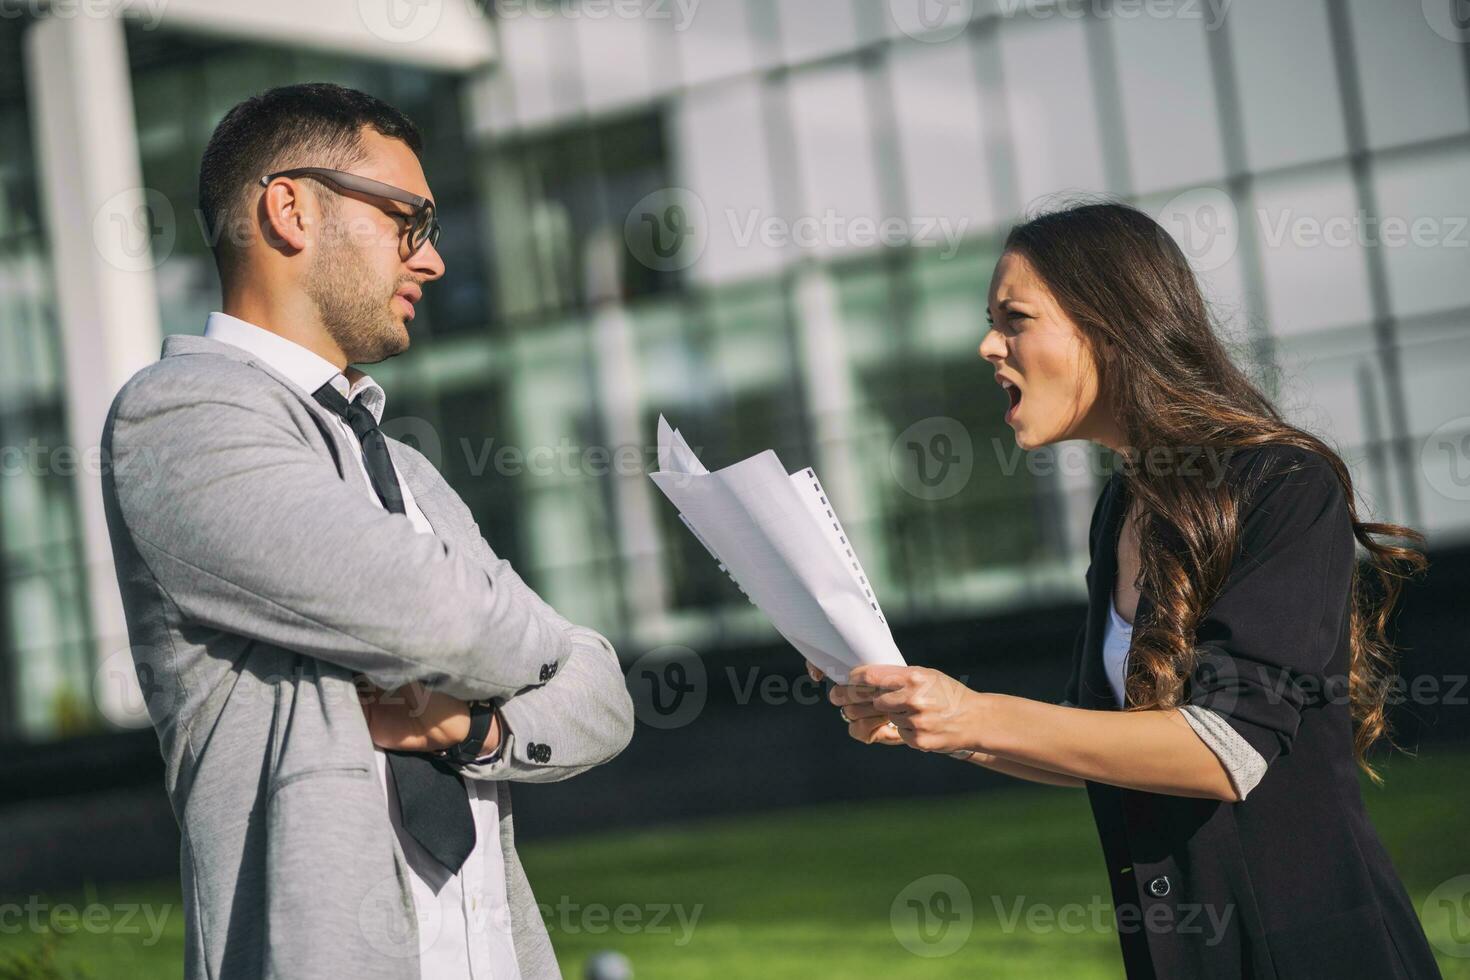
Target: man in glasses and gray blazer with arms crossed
x,y
283,561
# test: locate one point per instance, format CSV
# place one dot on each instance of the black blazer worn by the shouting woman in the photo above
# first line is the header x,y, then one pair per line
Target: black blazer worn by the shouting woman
x,y
1291,882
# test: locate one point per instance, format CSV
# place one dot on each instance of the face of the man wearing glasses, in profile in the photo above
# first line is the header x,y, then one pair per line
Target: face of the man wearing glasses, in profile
x,y
364,286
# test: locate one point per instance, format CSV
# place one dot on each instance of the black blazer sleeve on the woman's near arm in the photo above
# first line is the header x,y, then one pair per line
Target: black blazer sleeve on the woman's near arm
x,y
1280,619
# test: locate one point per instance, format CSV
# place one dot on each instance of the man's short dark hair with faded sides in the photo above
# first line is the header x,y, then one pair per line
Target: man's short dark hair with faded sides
x,y
296,126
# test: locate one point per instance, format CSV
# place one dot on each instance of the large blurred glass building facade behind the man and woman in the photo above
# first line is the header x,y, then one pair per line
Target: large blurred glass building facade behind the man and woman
x,y
775,226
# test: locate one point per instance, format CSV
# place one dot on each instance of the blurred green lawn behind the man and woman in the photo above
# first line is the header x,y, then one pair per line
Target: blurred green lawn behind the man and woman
x,y
831,891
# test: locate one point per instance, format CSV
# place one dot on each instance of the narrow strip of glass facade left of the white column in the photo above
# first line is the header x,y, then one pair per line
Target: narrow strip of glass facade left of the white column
x,y
46,653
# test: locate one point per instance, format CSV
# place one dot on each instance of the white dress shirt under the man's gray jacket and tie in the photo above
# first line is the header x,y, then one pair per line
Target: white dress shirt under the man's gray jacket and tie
x,y
465,918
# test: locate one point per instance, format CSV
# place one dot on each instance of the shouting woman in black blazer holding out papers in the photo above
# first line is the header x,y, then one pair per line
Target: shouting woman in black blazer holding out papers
x,y
1233,671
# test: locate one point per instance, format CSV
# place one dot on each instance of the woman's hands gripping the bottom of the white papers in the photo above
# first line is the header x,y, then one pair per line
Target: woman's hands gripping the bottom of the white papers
x,y
931,710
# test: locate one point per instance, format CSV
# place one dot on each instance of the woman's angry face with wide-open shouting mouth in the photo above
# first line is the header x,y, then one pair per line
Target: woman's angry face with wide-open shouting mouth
x,y
1041,361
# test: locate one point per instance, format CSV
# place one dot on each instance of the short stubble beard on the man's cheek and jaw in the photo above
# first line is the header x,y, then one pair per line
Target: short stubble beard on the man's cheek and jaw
x,y
355,306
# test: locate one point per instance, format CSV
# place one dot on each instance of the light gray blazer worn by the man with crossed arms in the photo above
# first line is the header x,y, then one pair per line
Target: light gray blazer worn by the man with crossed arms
x,y
258,583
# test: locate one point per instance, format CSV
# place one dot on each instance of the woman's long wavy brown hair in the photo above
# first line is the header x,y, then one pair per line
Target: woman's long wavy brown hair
x,y
1171,383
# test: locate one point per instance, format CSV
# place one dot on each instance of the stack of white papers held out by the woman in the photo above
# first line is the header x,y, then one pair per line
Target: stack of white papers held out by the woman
x,y
780,541
